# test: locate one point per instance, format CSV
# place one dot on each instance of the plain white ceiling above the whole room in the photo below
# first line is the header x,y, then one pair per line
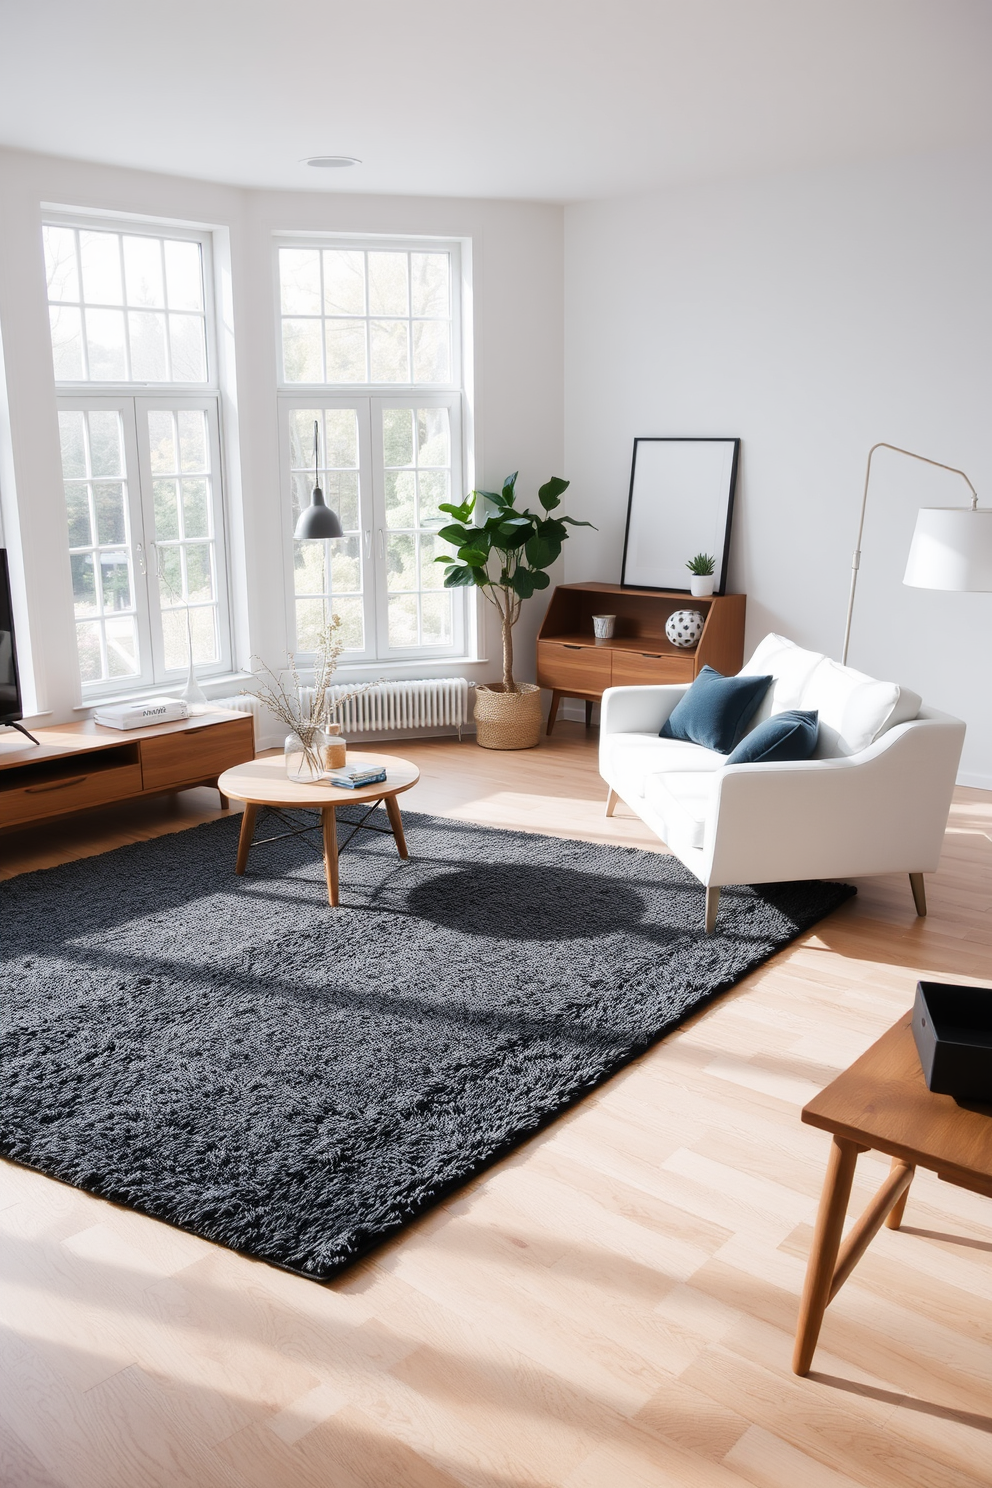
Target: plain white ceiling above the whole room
x,y
535,99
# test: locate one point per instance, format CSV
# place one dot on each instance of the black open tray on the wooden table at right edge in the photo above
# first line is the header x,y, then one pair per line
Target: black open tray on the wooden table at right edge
x,y
953,1027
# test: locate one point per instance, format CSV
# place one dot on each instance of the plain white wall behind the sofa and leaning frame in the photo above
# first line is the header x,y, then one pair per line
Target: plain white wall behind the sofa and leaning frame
x,y
813,315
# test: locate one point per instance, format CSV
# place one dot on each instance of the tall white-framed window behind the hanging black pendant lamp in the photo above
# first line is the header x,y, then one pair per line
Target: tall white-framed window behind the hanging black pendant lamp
x,y
371,355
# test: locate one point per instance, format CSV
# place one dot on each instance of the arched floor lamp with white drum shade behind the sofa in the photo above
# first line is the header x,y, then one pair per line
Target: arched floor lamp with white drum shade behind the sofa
x,y
951,548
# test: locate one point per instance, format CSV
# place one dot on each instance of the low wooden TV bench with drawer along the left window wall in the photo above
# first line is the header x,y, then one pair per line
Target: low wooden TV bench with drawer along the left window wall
x,y
84,766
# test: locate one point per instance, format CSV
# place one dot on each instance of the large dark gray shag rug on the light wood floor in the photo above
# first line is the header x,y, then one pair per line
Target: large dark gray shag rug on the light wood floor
x,y
298,1083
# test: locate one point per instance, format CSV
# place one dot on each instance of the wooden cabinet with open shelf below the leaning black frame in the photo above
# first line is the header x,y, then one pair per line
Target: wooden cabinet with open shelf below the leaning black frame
x,y
575,664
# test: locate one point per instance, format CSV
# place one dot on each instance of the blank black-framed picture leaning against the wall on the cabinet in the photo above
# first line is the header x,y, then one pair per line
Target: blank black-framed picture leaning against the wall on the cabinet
x,y
680,505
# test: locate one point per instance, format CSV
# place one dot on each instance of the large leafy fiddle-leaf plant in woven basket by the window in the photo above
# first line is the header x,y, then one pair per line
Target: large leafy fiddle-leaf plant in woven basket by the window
x,y
506,556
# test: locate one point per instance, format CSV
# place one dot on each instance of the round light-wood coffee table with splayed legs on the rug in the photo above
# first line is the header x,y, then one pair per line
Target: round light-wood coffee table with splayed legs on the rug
x,y
265,783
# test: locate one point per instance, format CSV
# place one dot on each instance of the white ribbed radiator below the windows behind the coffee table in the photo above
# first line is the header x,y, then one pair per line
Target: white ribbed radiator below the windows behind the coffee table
x,y
411,708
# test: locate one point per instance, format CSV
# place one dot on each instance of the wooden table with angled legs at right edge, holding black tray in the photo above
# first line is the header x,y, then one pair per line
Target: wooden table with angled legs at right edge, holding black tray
x,y
883,1105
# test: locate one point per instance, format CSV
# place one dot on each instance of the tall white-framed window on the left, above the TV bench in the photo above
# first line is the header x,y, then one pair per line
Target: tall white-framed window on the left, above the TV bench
x,y
141,446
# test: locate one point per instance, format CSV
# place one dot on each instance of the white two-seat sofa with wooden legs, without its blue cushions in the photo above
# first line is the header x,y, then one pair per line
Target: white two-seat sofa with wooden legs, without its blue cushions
x,y
874,798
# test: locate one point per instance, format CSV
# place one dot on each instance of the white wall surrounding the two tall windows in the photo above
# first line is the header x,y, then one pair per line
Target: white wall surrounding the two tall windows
x,y
517,255
